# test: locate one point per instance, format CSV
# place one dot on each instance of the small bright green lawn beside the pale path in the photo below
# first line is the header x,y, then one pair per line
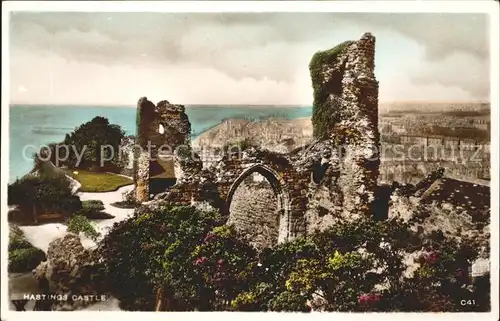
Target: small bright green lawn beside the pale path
x,y
98,181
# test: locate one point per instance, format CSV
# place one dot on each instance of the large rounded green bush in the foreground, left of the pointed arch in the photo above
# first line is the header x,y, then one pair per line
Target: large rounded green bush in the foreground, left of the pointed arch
x,y
157,246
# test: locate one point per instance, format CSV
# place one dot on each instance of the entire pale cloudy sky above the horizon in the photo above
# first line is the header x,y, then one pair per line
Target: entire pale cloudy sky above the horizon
x,y
237,58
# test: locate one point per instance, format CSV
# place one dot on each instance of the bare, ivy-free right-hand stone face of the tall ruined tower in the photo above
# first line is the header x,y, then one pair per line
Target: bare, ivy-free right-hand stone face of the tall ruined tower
x,y
359,171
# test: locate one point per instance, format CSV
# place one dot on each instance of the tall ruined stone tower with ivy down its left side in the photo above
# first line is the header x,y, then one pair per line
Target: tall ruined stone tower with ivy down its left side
x,y
345,112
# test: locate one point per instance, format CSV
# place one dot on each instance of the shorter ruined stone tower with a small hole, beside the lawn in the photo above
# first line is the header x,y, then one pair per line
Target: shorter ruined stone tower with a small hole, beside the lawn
x,y
161,129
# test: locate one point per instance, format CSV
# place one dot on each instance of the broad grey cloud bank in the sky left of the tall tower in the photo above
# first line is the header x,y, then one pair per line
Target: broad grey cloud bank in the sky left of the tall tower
x,y
240,45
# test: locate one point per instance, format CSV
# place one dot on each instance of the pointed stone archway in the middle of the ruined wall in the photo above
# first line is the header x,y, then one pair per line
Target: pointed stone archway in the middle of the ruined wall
x,y
261,221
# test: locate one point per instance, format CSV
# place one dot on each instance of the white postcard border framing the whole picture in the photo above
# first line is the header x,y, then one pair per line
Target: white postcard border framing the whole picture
x,y
488,7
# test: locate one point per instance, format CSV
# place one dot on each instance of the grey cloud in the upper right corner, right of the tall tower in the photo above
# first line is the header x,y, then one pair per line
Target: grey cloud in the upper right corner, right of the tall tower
x,y
456,48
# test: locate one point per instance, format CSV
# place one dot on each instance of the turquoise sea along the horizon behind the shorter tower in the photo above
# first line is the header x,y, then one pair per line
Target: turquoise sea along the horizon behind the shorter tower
x,y
32,126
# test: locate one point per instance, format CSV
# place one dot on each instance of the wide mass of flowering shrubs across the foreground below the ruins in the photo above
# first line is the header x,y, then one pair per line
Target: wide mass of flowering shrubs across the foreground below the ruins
x,y
194,262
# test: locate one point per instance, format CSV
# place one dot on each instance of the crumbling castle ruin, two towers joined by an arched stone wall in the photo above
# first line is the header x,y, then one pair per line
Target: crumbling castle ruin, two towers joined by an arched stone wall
x,y
333,177
